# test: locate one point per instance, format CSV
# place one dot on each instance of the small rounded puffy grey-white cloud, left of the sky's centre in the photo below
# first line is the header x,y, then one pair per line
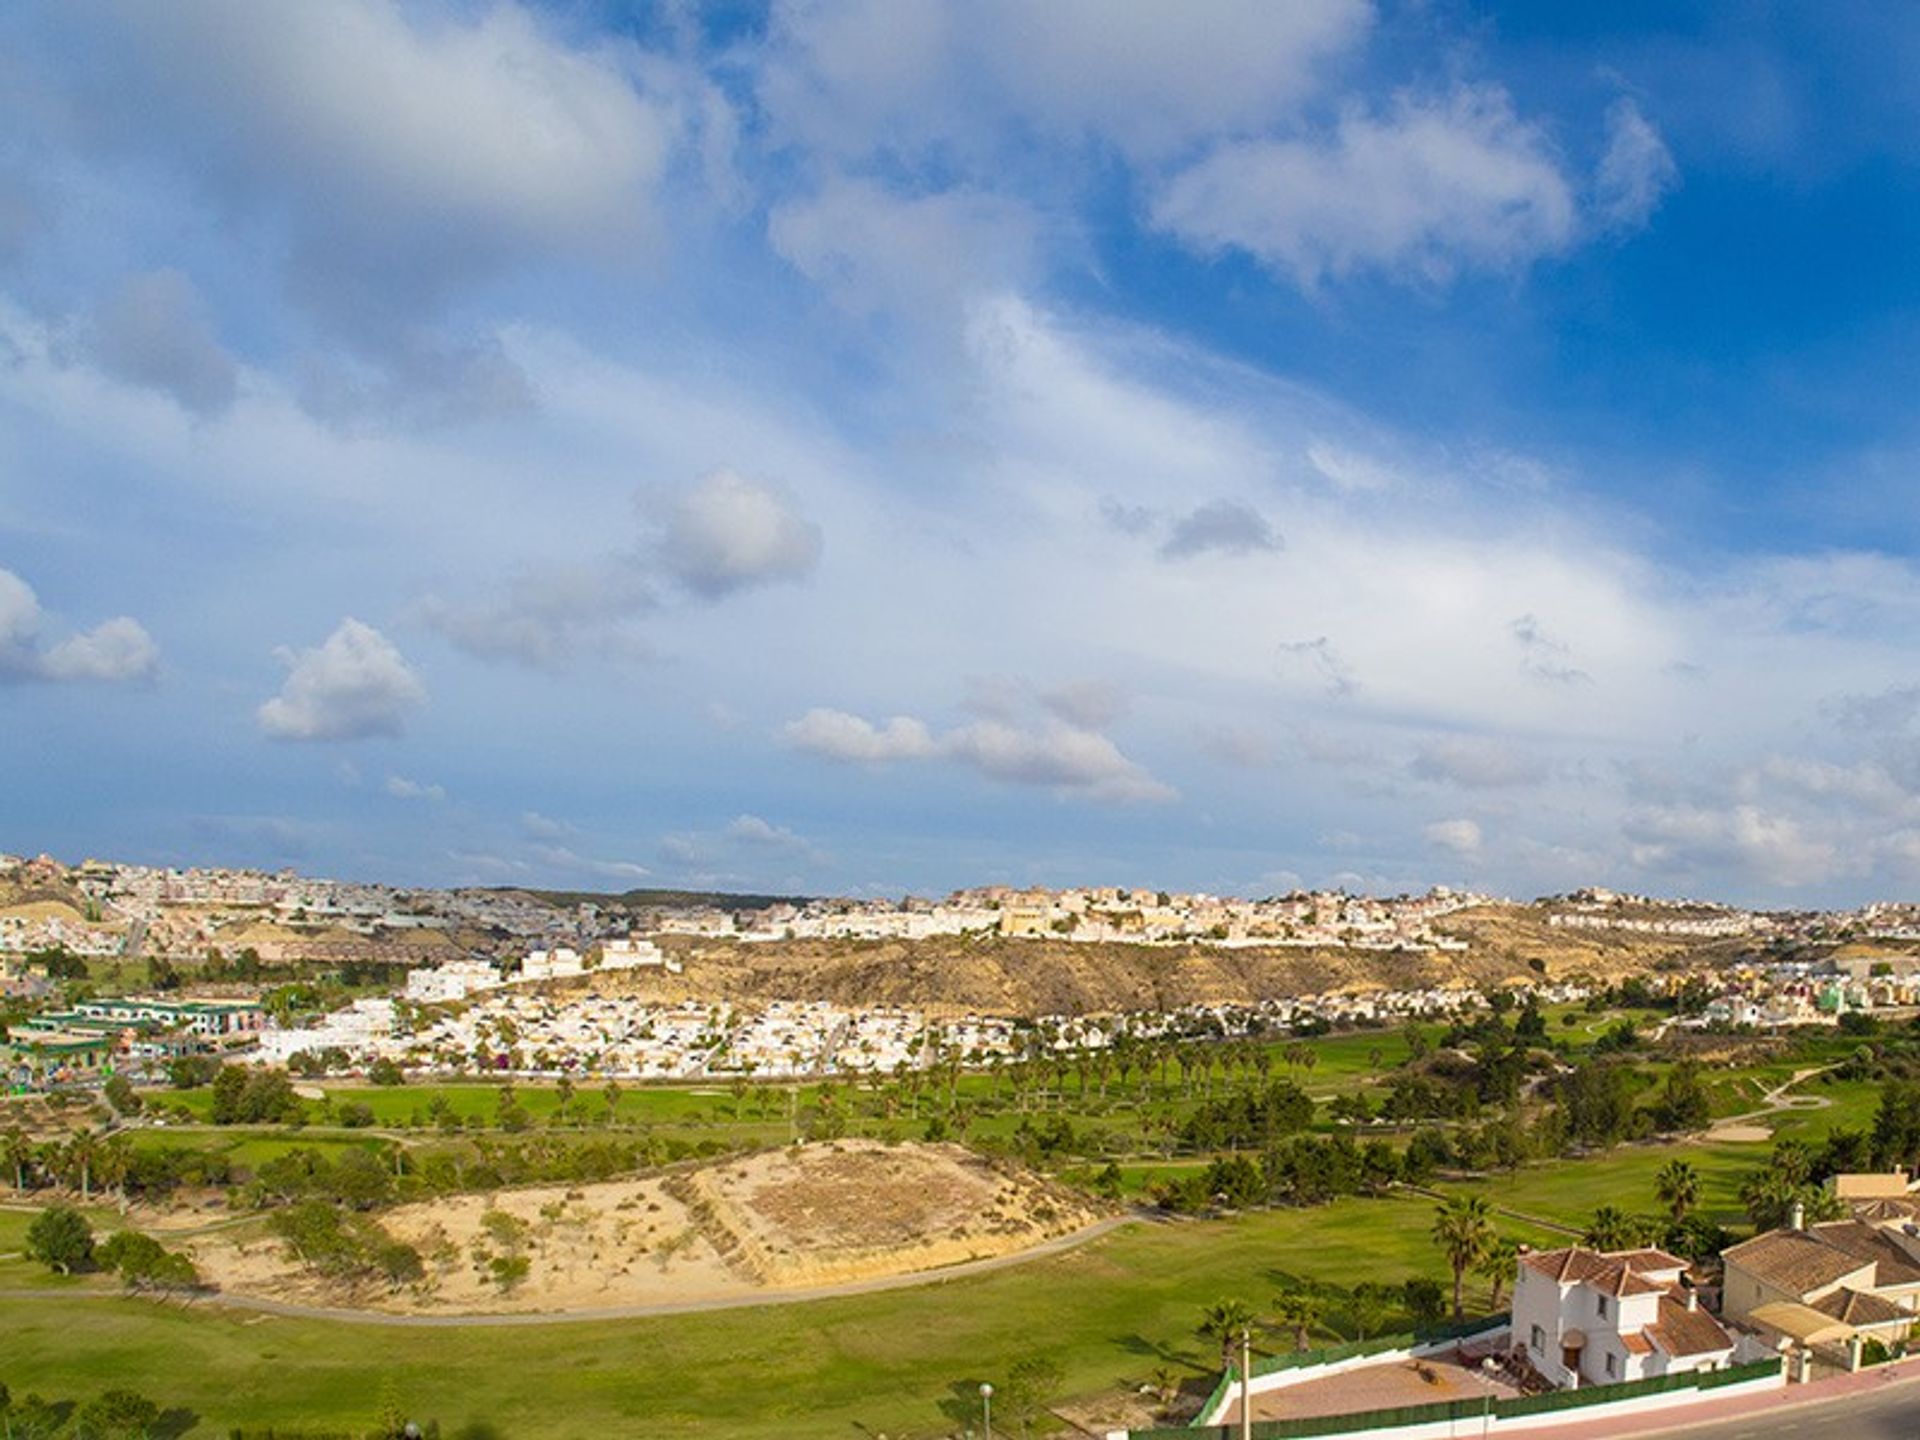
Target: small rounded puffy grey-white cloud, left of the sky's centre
x,y
729,533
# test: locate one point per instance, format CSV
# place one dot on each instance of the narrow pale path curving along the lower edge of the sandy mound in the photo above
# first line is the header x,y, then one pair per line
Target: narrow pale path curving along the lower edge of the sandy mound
x,y
1059,1245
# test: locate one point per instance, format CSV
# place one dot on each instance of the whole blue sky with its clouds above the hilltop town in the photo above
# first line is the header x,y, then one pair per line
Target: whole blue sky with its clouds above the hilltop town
x,y
892,446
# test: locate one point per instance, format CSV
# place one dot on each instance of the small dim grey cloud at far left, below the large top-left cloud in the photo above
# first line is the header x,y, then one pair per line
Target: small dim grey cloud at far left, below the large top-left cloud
x,y
153,331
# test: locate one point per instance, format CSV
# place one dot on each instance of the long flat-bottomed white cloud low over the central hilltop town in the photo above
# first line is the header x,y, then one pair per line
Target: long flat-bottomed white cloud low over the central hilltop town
x,y
1053,756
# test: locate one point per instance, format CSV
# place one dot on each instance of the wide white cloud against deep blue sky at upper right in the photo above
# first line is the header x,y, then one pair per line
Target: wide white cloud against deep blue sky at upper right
x,y
1426,189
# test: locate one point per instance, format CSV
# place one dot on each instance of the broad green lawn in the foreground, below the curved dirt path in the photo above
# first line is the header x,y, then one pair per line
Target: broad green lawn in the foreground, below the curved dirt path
x,y
1109,1314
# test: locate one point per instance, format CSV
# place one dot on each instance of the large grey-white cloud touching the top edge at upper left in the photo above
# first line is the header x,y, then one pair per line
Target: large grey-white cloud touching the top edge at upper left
x,y
406,149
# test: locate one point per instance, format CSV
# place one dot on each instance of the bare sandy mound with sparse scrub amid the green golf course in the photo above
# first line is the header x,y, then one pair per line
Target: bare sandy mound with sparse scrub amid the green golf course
x,y
729,1234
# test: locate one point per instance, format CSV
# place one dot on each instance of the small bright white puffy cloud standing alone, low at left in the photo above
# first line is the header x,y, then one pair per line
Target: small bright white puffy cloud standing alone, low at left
x,y
352,686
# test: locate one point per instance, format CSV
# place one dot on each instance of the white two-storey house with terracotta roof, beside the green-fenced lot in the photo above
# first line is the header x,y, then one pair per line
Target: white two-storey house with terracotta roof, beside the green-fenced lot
x,y
1604,1318
